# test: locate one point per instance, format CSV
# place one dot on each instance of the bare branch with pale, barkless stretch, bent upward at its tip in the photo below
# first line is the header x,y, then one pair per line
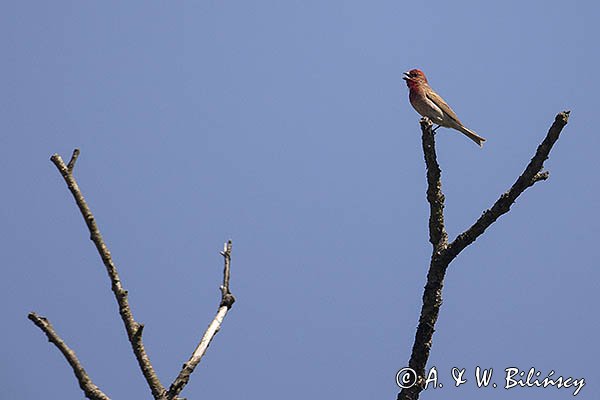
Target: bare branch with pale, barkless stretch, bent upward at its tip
x,y
227,301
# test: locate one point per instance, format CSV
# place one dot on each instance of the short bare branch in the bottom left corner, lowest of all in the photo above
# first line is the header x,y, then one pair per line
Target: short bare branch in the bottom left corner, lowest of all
x,y
91,391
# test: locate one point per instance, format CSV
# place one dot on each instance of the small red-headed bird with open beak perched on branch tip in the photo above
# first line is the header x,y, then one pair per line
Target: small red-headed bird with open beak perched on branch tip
x,y
430,104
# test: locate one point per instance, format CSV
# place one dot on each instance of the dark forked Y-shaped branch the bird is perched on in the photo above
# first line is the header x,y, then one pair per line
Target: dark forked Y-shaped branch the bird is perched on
x,y
444,253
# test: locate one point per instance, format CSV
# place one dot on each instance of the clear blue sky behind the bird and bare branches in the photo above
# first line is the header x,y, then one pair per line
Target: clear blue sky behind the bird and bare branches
x,y
285,126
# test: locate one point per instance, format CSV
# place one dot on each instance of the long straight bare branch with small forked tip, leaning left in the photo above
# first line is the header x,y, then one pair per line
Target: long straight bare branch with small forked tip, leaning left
x,y
133,328
